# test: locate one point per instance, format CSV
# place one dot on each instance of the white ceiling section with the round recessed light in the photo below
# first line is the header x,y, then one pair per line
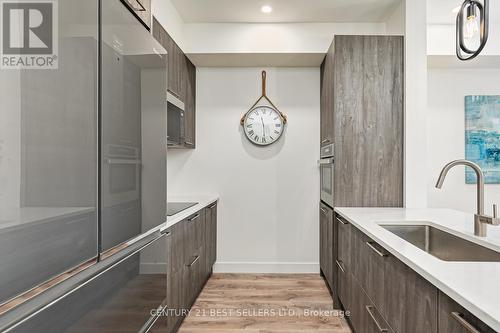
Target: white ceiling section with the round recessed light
x,y
248,11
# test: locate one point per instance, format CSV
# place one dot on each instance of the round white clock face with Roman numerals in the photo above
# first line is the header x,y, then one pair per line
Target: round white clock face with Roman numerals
x,y
263,125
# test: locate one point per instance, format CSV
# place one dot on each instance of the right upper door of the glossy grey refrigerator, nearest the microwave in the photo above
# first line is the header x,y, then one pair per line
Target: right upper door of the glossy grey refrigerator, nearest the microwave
x,y
133,127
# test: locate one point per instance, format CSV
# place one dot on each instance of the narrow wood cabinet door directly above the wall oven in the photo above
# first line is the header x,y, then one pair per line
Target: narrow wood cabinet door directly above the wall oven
x,y
327,127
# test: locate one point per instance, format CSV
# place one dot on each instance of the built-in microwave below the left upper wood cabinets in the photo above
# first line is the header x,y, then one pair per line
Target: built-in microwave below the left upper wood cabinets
x,y
175,121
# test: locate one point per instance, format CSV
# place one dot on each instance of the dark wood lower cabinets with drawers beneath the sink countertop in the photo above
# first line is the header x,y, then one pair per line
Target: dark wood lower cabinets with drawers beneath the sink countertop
x,y
382,294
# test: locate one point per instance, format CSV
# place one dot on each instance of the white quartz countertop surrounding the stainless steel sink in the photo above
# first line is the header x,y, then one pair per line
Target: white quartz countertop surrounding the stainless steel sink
x,y
474,285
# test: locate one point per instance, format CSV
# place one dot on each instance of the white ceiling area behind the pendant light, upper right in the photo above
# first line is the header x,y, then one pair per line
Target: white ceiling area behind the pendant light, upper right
x,y
440,11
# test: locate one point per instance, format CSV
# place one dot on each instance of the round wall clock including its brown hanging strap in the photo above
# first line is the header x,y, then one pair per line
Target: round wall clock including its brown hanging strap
x,y
263,124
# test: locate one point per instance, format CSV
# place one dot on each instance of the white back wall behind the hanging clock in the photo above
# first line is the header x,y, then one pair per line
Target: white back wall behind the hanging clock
x,y
269,197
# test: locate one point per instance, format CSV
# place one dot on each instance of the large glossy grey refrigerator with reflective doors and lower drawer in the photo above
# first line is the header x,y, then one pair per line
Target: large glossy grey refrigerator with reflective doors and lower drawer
x,y
83,176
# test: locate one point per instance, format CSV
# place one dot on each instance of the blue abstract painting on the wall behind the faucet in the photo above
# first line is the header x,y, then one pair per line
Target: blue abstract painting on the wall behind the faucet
x,y
482,137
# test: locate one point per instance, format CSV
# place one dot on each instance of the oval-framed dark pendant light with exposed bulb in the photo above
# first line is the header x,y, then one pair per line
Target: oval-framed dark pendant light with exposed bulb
x,y
472,19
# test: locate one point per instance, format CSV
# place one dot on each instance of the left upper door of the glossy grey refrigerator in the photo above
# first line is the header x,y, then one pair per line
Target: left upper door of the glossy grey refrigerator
x,y
48,157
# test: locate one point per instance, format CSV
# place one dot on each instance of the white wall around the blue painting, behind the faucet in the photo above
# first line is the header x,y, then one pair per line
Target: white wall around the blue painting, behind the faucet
x,y
446,136
